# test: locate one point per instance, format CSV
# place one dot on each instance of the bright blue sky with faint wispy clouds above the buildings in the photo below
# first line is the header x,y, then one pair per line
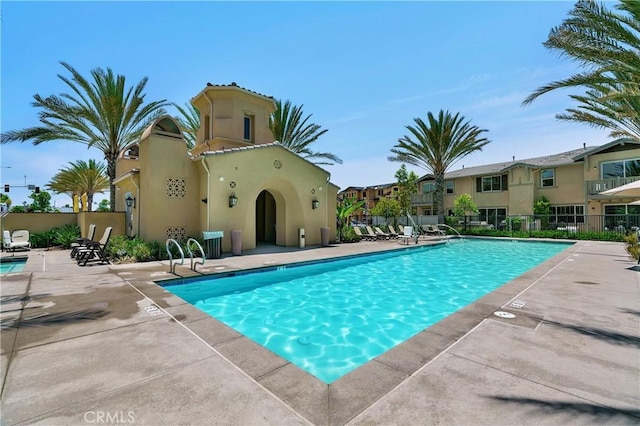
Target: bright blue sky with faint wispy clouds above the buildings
x,y
364,70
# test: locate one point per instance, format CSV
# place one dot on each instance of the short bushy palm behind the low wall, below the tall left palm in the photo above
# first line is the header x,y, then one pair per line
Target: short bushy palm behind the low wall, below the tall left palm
x,y
80,178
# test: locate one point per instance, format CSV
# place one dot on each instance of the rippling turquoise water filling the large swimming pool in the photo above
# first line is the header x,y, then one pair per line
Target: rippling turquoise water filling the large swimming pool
x,y
330,317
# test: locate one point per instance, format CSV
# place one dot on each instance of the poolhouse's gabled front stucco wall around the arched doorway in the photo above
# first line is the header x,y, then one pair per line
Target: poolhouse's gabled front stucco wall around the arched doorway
x,y
293,186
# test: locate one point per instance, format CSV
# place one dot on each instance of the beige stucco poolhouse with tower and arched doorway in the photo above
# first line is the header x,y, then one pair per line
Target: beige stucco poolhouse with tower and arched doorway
x,y
235,178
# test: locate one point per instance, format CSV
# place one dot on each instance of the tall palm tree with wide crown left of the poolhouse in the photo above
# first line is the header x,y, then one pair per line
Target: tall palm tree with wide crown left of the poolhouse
x,y
101,113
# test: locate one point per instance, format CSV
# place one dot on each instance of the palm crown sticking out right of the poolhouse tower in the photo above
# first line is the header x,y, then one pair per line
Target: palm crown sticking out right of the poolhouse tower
x,y
292,131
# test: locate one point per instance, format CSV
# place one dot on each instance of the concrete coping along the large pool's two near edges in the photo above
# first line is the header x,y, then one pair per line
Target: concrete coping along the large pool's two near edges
x,y
345,398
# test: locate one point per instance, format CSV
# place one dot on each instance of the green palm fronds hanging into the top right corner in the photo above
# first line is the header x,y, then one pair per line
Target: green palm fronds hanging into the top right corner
x,y
606,44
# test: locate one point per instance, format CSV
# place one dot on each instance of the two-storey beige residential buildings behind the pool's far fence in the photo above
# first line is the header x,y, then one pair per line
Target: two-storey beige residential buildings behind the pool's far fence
x,y
572,182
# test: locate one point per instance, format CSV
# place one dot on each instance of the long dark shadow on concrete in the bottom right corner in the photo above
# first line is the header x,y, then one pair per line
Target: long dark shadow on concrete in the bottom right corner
x,y
598,413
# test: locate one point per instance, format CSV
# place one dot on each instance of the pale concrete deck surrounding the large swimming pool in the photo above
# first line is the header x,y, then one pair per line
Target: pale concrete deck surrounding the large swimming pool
x,y
105,344
